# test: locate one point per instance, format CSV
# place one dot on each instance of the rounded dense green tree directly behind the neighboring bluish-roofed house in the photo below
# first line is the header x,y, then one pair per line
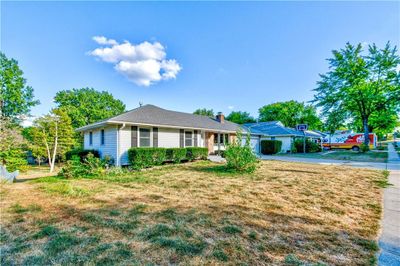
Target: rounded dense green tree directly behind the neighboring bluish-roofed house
x,y
290,113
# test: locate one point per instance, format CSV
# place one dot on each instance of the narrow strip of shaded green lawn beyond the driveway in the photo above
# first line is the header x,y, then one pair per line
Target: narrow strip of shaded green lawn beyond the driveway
x,y
371,156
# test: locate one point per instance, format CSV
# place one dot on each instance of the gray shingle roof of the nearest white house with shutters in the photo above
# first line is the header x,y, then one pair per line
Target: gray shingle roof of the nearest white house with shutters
x,y
154,115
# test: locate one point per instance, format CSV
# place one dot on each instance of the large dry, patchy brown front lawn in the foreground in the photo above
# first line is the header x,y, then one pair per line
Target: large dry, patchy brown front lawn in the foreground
x,y
196,213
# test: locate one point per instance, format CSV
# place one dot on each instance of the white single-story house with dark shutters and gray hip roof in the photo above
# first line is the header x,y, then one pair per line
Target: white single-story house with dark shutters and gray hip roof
x,y
152,126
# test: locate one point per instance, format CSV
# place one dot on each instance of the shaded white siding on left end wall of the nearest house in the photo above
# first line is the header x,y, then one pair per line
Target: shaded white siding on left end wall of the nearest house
x,y
110,141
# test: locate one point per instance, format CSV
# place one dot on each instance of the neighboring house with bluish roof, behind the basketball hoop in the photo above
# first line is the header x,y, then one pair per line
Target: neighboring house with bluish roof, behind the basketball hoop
x,y
275,130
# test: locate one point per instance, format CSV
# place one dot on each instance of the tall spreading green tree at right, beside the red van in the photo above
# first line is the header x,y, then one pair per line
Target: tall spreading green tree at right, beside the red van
x,y
360,85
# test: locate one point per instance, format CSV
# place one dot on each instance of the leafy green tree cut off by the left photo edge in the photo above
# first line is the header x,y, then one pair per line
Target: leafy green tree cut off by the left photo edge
x,y
16,99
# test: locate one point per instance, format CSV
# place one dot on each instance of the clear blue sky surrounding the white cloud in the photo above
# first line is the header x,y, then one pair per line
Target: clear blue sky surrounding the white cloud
x,y
232,55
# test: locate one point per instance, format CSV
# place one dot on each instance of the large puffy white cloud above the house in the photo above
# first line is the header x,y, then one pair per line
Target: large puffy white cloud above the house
x,y
144,64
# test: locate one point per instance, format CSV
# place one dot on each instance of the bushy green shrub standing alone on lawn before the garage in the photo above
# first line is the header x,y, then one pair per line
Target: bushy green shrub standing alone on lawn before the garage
x,y
239,157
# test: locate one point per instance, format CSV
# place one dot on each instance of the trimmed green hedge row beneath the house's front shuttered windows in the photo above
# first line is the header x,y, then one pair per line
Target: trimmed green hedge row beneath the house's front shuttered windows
x,y
147,157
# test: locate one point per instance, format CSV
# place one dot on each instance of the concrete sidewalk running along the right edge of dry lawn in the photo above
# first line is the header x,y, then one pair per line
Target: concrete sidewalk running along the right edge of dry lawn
x,y
389,242
